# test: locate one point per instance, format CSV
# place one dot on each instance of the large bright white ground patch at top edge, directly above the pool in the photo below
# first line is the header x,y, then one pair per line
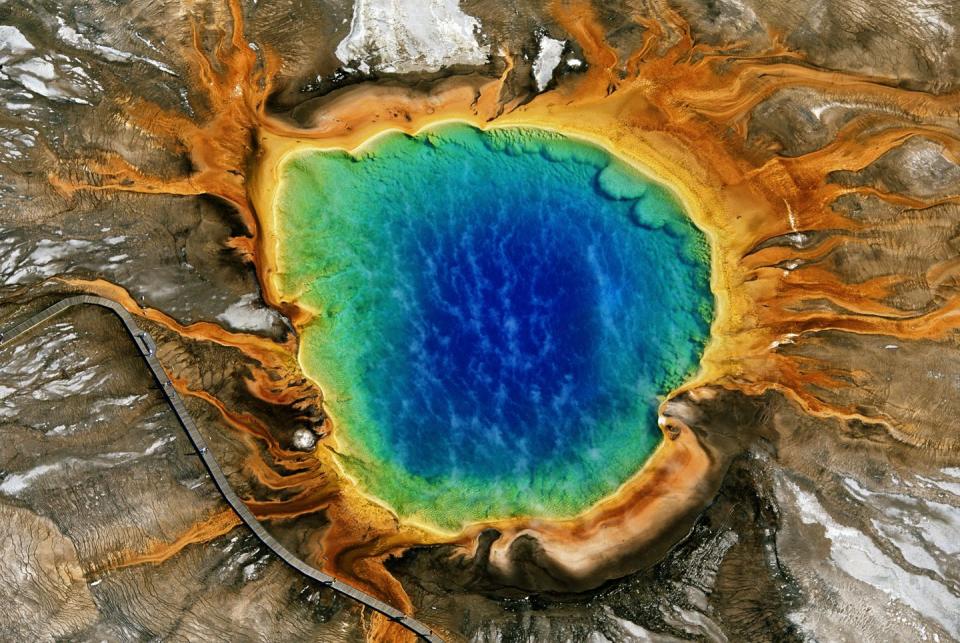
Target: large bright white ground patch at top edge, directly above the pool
x,y
405,36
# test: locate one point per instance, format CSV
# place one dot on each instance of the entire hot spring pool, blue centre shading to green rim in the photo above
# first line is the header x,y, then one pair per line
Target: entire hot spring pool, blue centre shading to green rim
x,y
498,313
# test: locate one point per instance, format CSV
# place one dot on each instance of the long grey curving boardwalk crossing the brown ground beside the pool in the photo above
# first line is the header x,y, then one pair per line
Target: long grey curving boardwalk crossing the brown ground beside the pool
x,y
148,349
